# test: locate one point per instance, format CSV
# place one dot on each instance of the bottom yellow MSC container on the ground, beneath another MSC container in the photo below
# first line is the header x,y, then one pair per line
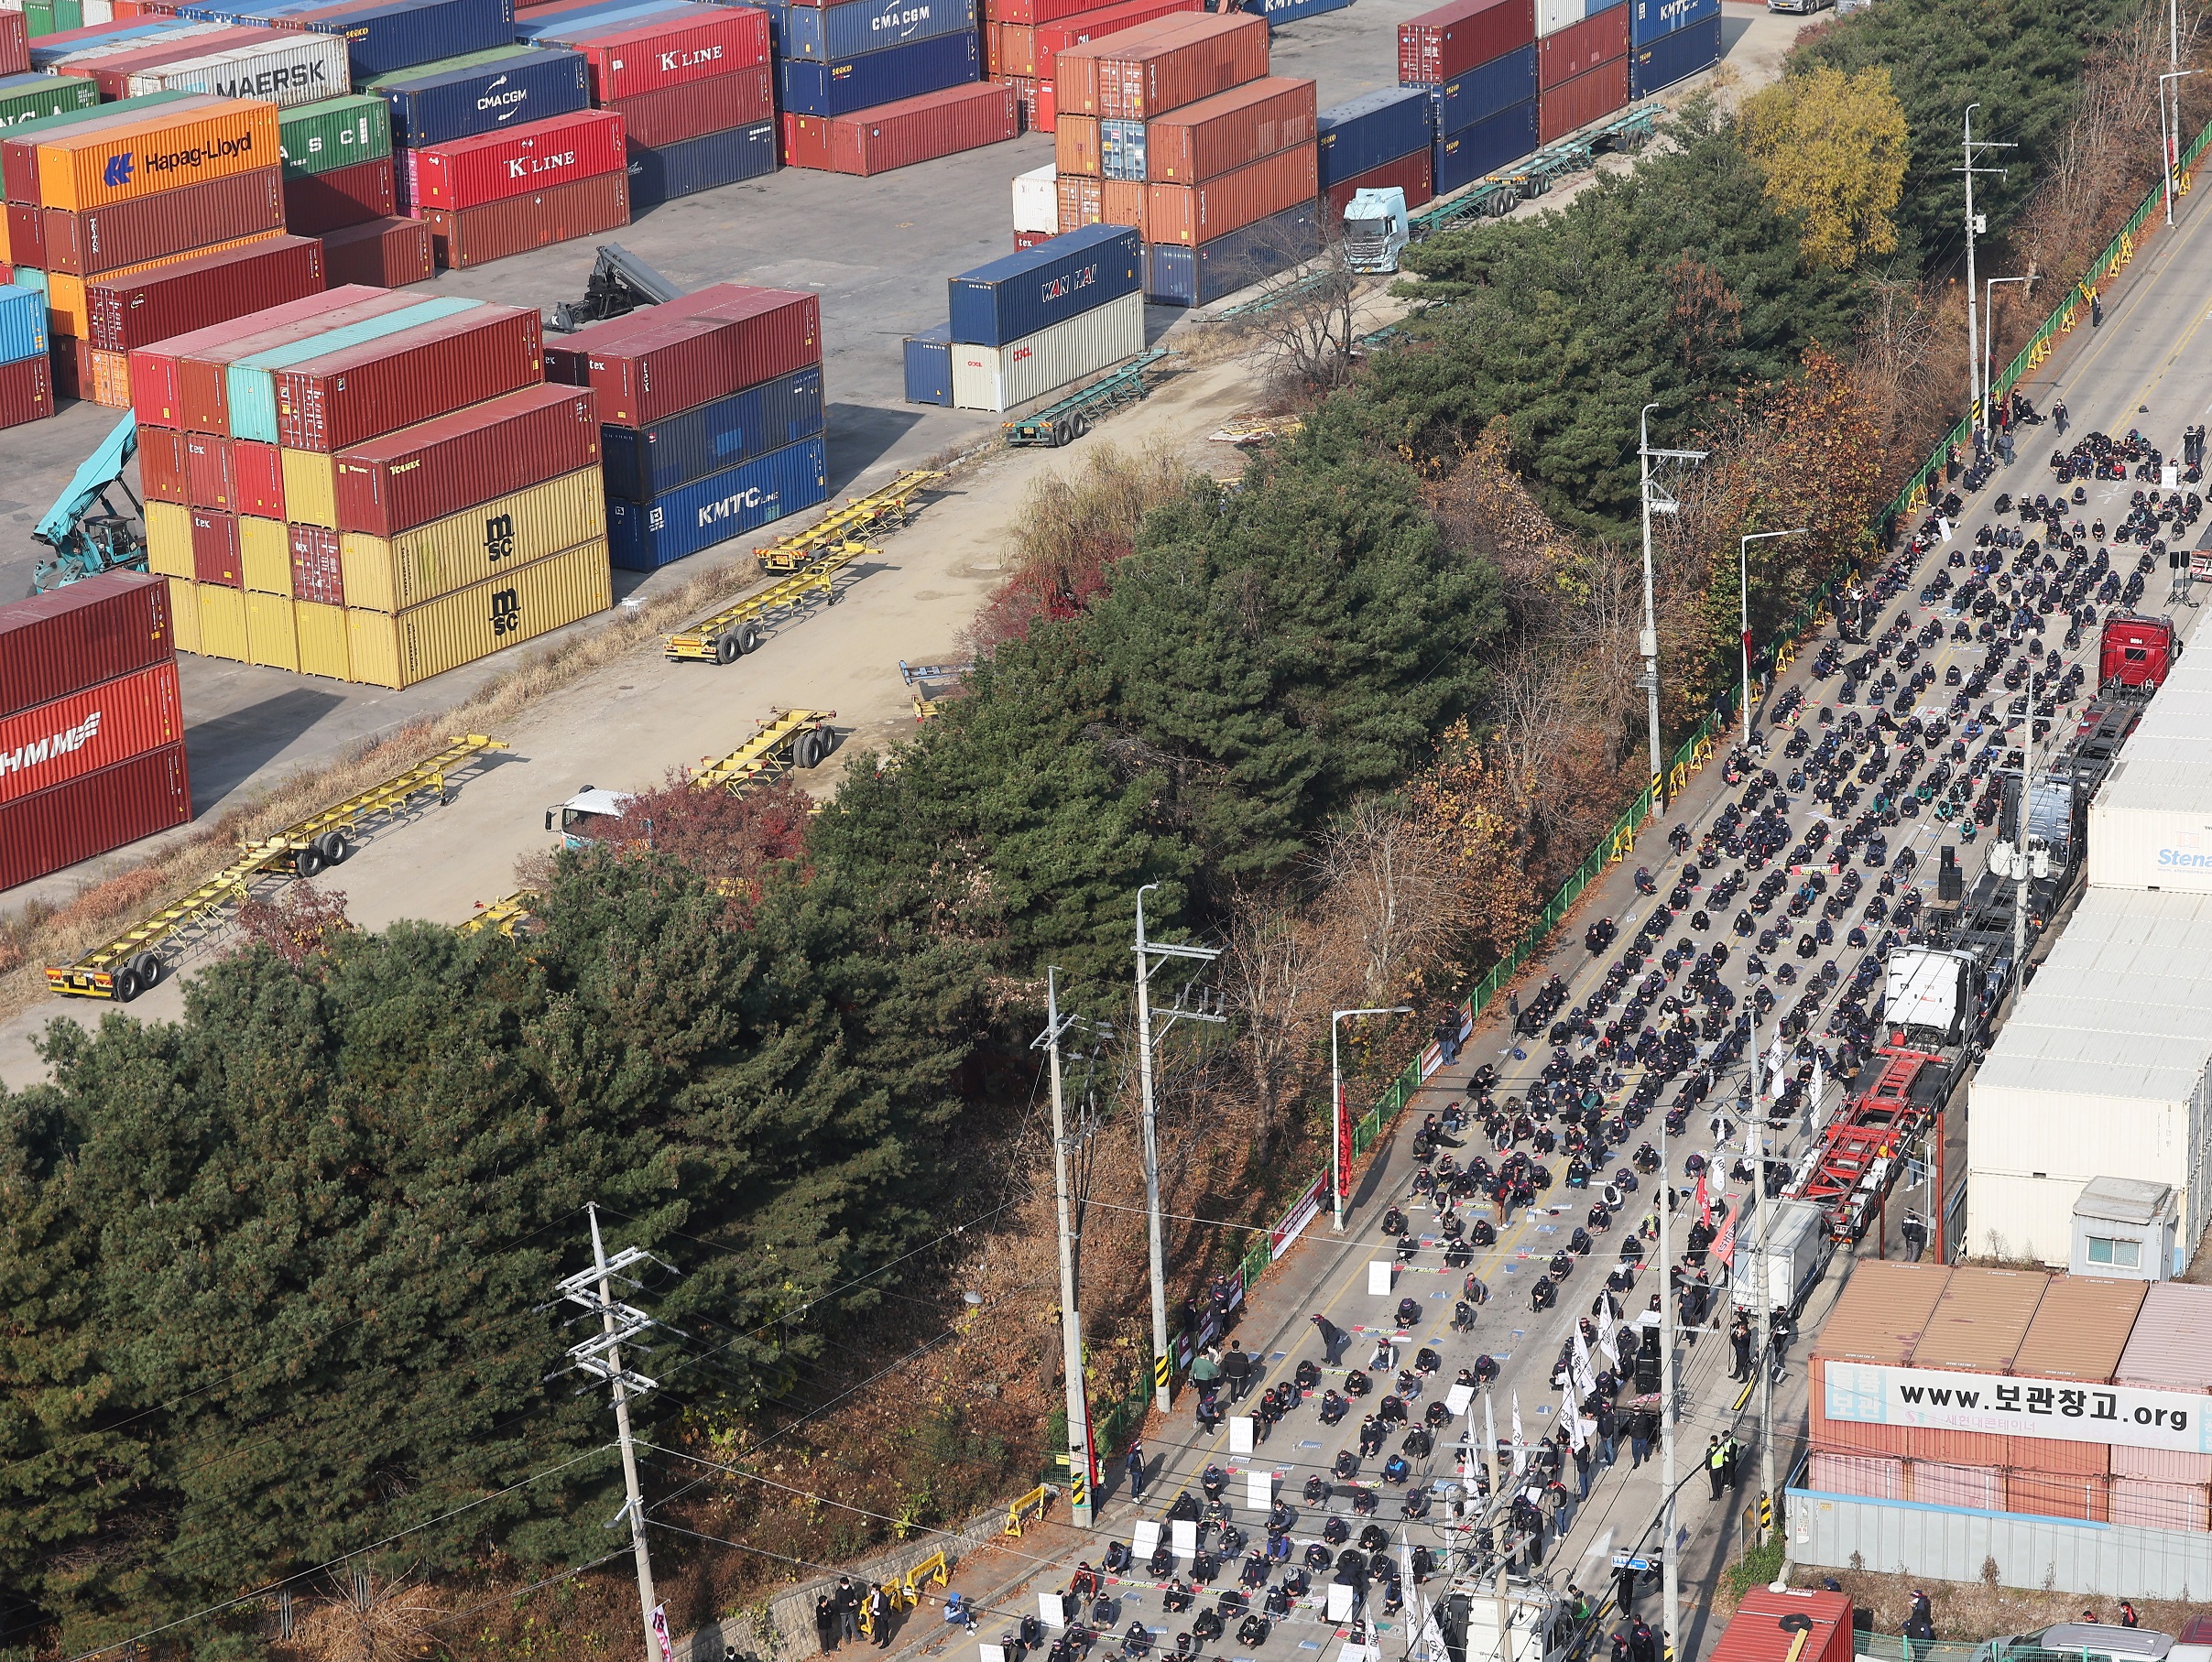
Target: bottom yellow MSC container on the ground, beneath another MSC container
x,y
401,649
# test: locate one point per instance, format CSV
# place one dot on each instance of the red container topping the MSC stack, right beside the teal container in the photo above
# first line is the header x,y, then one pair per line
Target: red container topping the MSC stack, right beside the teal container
x,y
382,386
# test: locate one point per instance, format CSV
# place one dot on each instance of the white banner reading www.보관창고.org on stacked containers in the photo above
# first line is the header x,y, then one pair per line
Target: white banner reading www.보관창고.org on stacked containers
x,y
2005,1407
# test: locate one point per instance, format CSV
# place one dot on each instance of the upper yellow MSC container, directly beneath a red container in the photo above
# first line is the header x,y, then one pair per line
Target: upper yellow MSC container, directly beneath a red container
x,y
501,536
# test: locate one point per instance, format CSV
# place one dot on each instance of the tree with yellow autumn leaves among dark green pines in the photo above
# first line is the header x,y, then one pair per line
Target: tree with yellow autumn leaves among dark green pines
x,y
1835,151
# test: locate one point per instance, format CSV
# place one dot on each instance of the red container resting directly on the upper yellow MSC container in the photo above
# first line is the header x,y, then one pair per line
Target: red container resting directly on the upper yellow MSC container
x,y
441,467
